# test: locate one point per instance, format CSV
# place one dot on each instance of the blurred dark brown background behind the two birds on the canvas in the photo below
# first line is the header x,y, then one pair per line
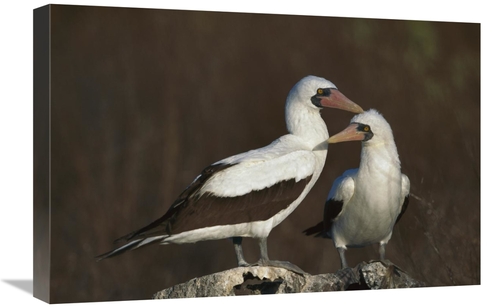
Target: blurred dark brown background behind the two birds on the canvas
x,y
143,100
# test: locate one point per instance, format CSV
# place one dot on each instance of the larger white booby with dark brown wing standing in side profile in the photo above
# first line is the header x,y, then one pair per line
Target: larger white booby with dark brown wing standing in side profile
x,y
248,194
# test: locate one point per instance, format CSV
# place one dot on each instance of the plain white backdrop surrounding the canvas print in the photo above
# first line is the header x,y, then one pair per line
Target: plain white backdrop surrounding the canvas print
x,y
16,143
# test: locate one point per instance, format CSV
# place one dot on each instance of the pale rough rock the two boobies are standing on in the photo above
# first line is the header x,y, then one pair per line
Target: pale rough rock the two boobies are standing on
x,y
273,280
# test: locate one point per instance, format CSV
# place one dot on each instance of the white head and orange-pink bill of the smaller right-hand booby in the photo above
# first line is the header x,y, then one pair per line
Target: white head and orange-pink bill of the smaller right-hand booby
x,y
369,127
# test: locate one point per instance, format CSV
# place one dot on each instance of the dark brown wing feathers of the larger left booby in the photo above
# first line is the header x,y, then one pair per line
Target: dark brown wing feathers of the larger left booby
x,y
191,211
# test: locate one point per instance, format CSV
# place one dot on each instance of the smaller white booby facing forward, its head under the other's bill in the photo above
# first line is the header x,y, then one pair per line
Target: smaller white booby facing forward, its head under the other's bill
x,y
364,204
